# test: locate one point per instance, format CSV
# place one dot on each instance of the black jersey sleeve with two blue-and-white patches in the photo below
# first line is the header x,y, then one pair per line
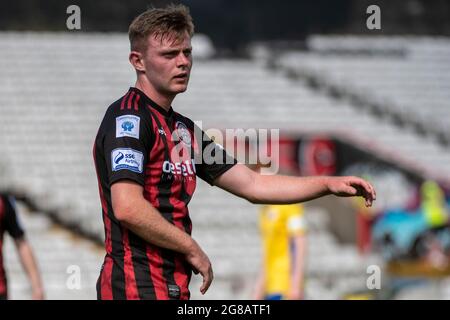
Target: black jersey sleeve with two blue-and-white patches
x,y
128,139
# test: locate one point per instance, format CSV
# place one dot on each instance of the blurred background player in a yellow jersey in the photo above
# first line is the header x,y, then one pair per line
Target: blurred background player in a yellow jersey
x,y
283,231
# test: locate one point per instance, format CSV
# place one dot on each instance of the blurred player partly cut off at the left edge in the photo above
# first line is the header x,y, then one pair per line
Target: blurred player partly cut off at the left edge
x,y
10,223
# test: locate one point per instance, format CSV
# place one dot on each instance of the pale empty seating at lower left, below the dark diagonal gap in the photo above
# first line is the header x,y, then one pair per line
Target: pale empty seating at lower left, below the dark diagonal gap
x,y
56,251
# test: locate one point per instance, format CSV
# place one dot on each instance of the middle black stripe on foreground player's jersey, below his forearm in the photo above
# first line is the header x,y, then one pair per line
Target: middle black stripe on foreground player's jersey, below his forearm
x,y
142,271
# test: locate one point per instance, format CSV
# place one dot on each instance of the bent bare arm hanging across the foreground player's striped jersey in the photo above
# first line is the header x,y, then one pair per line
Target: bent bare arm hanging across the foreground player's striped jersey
x,y
137,214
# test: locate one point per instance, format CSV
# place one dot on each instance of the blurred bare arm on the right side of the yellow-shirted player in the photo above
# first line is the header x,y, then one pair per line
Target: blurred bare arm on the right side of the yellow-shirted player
x,y
298,272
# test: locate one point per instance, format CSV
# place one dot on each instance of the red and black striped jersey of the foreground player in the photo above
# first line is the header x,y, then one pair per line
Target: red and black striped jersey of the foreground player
x,y
164,152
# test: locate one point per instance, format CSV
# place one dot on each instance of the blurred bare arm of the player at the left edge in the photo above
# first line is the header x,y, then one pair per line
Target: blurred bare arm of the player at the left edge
x,y
29,264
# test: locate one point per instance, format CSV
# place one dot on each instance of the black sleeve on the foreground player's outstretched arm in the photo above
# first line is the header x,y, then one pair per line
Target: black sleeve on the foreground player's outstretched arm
x,y
213,161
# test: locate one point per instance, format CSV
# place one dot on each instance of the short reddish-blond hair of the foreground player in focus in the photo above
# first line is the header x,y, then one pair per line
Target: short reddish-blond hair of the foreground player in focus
x,y
172,21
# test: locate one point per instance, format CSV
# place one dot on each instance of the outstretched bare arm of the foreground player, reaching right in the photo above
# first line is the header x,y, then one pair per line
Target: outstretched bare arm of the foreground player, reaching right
x,y
277,189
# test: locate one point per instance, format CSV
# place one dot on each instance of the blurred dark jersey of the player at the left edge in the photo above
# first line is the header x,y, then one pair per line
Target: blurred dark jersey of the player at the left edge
x,y
9,223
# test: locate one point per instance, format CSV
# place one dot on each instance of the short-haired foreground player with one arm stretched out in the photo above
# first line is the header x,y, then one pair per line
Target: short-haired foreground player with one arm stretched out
x,y
147,159
